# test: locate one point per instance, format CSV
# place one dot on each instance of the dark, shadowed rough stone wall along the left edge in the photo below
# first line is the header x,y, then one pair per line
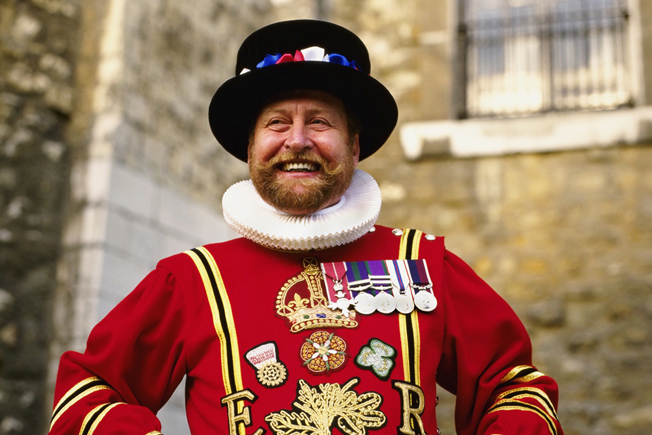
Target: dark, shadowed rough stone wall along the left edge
x,y
37,56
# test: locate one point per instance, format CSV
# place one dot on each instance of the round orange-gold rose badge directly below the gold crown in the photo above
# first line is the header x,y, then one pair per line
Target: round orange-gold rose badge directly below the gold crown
x,y
323,352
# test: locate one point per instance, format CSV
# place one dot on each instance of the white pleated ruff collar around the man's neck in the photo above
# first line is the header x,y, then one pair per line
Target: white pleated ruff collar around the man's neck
x,y
349,219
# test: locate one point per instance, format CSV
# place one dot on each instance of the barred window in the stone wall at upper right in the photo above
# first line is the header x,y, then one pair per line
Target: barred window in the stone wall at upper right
x,y
526,57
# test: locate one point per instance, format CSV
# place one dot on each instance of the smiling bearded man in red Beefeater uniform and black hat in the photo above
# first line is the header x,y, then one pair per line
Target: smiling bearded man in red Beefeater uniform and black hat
x,y
316,321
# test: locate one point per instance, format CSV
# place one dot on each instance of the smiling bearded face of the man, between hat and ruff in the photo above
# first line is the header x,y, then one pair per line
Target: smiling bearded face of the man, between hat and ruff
x,y
302,153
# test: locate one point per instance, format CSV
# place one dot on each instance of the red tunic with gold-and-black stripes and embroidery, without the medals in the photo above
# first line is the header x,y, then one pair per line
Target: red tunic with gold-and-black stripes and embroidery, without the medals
x,y
198,317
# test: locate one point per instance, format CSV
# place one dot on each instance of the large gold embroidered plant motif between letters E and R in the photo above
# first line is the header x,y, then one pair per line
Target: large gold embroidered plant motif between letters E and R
x,y
319,409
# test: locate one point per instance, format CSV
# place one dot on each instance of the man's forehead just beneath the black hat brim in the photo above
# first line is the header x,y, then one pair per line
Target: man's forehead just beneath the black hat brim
x,y
305,100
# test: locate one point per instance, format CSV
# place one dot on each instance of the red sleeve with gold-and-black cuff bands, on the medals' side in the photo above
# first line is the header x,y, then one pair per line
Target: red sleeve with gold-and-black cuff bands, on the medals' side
x,y
487,361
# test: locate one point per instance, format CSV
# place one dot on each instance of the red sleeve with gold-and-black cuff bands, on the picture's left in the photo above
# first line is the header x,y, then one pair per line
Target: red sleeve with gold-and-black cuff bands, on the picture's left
x,y
133,362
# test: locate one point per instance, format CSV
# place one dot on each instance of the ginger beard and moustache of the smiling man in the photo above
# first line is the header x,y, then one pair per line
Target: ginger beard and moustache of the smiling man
x,y
302,195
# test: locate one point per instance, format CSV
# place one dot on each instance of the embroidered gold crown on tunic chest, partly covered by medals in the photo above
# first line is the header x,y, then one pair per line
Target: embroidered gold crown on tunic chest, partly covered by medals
x,y
303,305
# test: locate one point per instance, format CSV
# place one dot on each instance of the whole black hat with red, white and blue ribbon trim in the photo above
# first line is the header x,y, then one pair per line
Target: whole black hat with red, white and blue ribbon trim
x,y
301,55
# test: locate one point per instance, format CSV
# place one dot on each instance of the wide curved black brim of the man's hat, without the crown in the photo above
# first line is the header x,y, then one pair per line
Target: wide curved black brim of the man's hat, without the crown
x,y
238,101
